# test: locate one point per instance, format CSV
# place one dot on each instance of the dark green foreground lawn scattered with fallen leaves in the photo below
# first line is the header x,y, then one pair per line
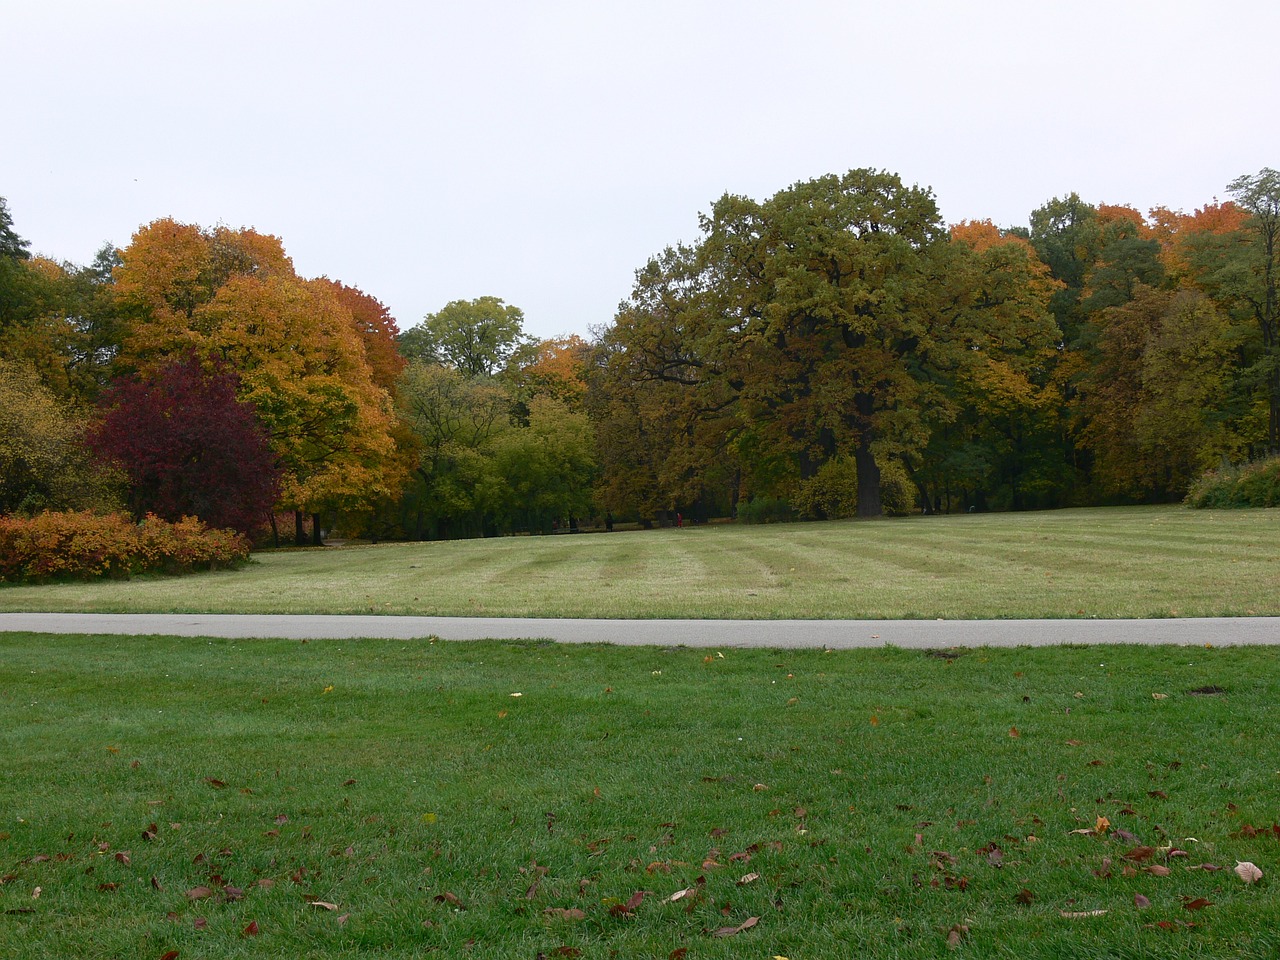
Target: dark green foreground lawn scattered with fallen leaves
x,y
176,798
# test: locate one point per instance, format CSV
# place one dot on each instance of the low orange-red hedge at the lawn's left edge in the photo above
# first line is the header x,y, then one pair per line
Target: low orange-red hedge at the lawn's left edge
x,y
86,546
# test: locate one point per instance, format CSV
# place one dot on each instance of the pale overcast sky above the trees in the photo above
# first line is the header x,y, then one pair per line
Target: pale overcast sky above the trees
x,y
543,150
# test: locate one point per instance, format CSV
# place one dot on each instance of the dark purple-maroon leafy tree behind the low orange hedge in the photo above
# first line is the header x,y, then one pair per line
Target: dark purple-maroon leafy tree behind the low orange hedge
x,y
189,446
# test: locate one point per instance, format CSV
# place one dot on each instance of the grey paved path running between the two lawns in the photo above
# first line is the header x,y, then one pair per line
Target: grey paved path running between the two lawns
x,y
833,634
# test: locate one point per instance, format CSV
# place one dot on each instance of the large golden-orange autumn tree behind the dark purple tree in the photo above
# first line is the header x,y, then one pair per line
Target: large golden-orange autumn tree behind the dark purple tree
x,y
298,351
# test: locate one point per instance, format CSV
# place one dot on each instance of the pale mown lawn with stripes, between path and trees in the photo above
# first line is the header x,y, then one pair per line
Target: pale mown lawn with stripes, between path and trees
x,y
1119,563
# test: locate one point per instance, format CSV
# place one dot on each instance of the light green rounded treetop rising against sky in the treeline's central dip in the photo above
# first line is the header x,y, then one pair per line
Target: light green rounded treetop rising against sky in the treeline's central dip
x,y
476,337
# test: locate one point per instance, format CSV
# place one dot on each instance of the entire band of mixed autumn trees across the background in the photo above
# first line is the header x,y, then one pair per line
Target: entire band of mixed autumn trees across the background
x,y
835,350
